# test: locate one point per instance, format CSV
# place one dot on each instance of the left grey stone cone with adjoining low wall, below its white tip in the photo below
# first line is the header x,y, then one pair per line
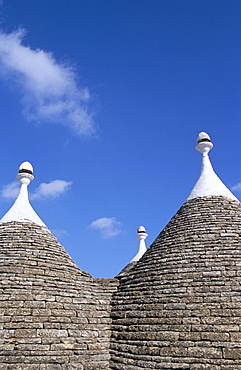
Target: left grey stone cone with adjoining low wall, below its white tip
x,y
52,314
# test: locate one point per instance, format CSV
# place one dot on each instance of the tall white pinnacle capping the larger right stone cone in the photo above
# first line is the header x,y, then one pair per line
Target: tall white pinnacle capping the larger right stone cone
x,y
208,184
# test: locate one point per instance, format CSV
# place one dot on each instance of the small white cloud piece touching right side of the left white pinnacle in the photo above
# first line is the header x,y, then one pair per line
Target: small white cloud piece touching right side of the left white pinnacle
x,y
51,190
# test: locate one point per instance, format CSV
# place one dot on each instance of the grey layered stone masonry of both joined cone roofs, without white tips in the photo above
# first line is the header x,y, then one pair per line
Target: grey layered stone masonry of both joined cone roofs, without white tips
x,y
179,307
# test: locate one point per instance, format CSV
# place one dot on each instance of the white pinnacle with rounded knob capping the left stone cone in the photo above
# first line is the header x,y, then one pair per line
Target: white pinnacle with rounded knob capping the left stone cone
x,y
22,210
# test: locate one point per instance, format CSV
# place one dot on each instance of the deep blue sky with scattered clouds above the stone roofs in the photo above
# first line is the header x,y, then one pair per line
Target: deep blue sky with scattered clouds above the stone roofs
x,y
106,98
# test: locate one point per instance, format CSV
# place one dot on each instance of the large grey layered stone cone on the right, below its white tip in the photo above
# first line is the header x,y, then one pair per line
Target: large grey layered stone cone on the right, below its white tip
x,y
180,305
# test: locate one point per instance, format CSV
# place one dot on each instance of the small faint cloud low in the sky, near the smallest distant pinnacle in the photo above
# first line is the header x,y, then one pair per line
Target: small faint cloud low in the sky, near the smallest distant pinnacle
x,y
108,226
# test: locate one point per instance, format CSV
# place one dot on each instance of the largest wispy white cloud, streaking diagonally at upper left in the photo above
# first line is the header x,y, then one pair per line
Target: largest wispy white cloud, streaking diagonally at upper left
x,y
49,89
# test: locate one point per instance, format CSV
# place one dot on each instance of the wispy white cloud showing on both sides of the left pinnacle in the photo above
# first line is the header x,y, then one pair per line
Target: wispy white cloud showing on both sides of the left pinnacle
x,y
53,189
